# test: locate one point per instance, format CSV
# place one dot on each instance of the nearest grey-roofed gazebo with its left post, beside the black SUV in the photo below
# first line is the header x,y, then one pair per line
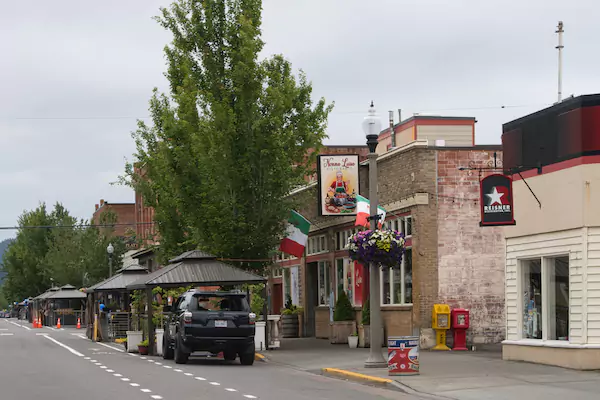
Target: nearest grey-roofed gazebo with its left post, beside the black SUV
x,y
192,268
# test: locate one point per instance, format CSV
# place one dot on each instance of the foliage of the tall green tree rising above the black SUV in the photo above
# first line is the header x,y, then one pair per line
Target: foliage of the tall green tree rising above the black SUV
x,y
230,140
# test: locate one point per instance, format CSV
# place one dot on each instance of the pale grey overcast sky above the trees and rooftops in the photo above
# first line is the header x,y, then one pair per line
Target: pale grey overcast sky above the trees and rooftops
x,y
75,75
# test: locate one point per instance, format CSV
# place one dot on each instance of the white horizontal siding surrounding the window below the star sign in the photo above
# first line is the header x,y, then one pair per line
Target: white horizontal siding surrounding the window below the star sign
x,y
548,244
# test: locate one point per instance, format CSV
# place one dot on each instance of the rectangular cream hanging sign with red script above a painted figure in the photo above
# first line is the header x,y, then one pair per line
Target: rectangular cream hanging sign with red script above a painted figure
x,y
338,184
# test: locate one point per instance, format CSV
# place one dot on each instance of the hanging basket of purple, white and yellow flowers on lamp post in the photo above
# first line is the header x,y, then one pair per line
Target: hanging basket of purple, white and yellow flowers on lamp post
x,y
383,248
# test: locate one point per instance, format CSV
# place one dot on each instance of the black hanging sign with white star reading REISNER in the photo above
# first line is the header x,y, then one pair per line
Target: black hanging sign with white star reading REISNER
x,y
496,198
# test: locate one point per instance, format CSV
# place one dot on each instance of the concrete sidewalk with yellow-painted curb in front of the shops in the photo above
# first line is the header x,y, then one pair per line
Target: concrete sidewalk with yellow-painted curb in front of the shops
x,y
455,375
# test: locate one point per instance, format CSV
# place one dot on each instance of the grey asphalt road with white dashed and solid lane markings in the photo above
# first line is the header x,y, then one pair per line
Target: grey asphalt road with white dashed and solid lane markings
x,y
64,365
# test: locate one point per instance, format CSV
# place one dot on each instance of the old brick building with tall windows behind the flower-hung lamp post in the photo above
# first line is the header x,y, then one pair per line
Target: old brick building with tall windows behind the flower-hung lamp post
x,y
449,257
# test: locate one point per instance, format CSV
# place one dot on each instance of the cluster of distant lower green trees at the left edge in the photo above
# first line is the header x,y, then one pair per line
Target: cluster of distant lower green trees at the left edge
x,y
64,252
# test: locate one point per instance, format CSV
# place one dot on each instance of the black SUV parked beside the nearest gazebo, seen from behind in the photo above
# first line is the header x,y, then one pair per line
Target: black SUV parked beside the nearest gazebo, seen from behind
x,y
210,321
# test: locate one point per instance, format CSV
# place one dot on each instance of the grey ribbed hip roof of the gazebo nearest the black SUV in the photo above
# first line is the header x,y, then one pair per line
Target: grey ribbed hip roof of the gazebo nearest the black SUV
x,y
196,271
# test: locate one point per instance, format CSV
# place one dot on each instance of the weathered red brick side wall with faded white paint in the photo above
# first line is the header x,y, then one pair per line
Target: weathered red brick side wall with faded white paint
x,y
470,257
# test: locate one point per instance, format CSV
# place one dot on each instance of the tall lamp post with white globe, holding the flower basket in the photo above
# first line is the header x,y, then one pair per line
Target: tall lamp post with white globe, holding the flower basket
x,y
372,128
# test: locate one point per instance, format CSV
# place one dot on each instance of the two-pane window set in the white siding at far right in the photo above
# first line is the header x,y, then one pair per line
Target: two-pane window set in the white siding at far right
x,y
546,298
